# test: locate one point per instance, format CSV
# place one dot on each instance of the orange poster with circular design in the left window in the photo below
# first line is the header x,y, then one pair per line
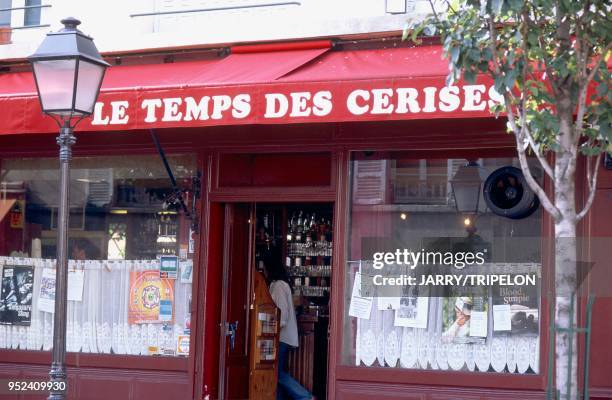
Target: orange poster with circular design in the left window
x,y
148,292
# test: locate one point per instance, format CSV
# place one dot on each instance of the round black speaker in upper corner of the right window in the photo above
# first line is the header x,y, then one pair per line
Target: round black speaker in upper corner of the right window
x,y
507,194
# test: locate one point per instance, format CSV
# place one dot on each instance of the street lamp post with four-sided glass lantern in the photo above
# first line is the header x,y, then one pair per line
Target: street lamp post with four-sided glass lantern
x,y
68,71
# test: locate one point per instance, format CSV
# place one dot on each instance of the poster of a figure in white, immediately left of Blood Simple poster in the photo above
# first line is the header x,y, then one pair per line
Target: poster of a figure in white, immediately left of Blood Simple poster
x,y
464,316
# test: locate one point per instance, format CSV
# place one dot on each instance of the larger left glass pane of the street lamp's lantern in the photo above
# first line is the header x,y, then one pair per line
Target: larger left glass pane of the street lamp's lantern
x,y
55,80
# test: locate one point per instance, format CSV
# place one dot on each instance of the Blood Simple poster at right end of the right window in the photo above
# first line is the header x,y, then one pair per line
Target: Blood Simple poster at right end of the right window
x,y
515,310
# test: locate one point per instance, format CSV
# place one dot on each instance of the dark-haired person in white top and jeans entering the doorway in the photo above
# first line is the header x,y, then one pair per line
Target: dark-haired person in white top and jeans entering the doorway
x,y
283,298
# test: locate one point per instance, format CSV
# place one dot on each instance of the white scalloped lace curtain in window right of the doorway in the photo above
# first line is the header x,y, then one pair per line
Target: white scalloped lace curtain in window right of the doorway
x,y
378,342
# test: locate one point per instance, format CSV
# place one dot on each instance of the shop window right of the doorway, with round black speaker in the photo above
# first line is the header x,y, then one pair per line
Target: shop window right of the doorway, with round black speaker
x,y
462,217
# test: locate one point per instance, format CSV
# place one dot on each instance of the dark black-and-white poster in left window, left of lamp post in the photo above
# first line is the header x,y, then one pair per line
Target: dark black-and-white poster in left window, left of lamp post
x,y
16,295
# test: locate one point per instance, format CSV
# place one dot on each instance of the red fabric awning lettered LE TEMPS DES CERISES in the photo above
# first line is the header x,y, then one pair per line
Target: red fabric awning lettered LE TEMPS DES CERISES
x,y
260,85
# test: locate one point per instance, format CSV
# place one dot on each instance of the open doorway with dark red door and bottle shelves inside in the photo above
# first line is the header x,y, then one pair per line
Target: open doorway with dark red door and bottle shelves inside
x,y
298,236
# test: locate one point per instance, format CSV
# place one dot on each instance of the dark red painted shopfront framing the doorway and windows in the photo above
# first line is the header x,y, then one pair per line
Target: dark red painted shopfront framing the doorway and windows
x,y
224,153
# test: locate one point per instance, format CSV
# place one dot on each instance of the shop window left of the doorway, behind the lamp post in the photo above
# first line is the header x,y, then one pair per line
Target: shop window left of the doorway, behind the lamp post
x,y
131,255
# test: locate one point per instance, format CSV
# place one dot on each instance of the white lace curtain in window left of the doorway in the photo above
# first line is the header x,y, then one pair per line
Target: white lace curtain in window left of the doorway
x,y
98,323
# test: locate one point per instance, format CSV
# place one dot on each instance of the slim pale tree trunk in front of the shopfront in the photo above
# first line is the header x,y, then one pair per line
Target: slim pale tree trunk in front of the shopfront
x,y
565,275
